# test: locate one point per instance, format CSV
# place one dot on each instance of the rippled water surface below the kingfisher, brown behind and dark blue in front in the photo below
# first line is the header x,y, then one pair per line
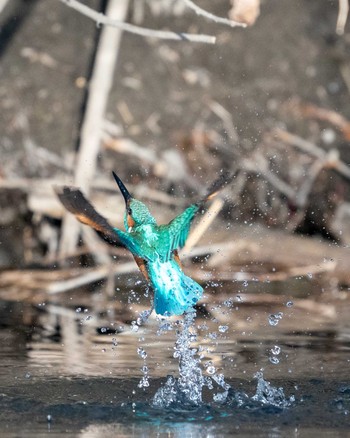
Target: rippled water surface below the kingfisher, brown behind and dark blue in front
x,y
51,355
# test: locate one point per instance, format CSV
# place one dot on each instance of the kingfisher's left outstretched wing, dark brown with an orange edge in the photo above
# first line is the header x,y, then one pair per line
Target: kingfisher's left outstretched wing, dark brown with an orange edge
x,y
76,203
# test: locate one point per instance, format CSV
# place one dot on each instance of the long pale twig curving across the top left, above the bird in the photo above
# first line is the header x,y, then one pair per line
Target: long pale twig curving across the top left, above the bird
x,y
100,18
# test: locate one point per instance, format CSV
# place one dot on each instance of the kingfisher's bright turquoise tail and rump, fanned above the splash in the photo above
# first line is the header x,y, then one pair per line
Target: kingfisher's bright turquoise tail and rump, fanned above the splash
x,y
174,292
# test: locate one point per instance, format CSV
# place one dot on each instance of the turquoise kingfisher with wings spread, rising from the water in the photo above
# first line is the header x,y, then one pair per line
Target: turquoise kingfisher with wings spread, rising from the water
x,y
154,247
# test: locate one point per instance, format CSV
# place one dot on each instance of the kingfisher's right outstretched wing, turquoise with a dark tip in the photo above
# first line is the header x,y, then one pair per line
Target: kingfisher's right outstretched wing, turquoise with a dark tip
x,y
177,230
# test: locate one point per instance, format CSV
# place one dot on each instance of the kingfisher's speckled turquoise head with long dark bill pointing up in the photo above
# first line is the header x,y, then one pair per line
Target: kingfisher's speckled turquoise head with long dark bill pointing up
x,y
136,212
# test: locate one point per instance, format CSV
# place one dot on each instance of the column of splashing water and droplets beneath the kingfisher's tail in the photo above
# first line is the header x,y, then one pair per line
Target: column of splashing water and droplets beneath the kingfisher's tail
x,y
186,391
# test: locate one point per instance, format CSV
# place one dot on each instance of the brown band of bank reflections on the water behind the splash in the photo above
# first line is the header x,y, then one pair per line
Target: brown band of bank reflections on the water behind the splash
x,y
234,336
